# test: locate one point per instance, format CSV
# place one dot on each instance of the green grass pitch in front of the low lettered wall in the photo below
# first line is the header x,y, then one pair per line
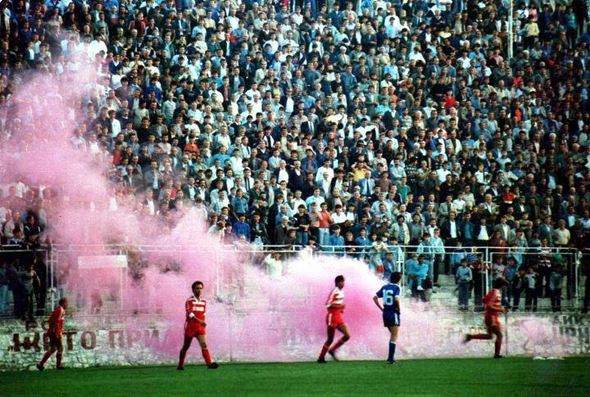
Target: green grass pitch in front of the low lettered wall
x,y
436,377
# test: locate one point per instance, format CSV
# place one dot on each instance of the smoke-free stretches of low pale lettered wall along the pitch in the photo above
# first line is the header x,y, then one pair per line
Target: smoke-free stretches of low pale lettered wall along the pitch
x,y
104,342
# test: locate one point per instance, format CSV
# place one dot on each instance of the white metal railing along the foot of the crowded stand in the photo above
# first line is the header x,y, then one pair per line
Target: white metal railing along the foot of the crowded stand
x,y
571,259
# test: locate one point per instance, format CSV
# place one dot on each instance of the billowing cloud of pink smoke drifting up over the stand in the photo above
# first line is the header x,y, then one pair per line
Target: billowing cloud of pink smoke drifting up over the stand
x,y
274,320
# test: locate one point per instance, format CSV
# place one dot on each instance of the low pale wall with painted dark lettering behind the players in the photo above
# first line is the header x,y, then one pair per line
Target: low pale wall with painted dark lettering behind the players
x,y
91,341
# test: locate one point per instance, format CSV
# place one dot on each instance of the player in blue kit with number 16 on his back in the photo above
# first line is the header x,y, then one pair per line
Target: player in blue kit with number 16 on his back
x,y
390,293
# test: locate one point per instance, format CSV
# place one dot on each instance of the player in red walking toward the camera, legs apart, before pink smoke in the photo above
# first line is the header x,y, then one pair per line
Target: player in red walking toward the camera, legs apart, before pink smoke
x,y
195,326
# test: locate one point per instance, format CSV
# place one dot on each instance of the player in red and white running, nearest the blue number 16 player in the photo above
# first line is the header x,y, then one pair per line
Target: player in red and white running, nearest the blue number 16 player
x,y
335,320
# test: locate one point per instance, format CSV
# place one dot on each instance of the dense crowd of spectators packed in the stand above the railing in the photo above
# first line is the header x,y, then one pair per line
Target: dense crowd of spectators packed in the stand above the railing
x,y
348,126
